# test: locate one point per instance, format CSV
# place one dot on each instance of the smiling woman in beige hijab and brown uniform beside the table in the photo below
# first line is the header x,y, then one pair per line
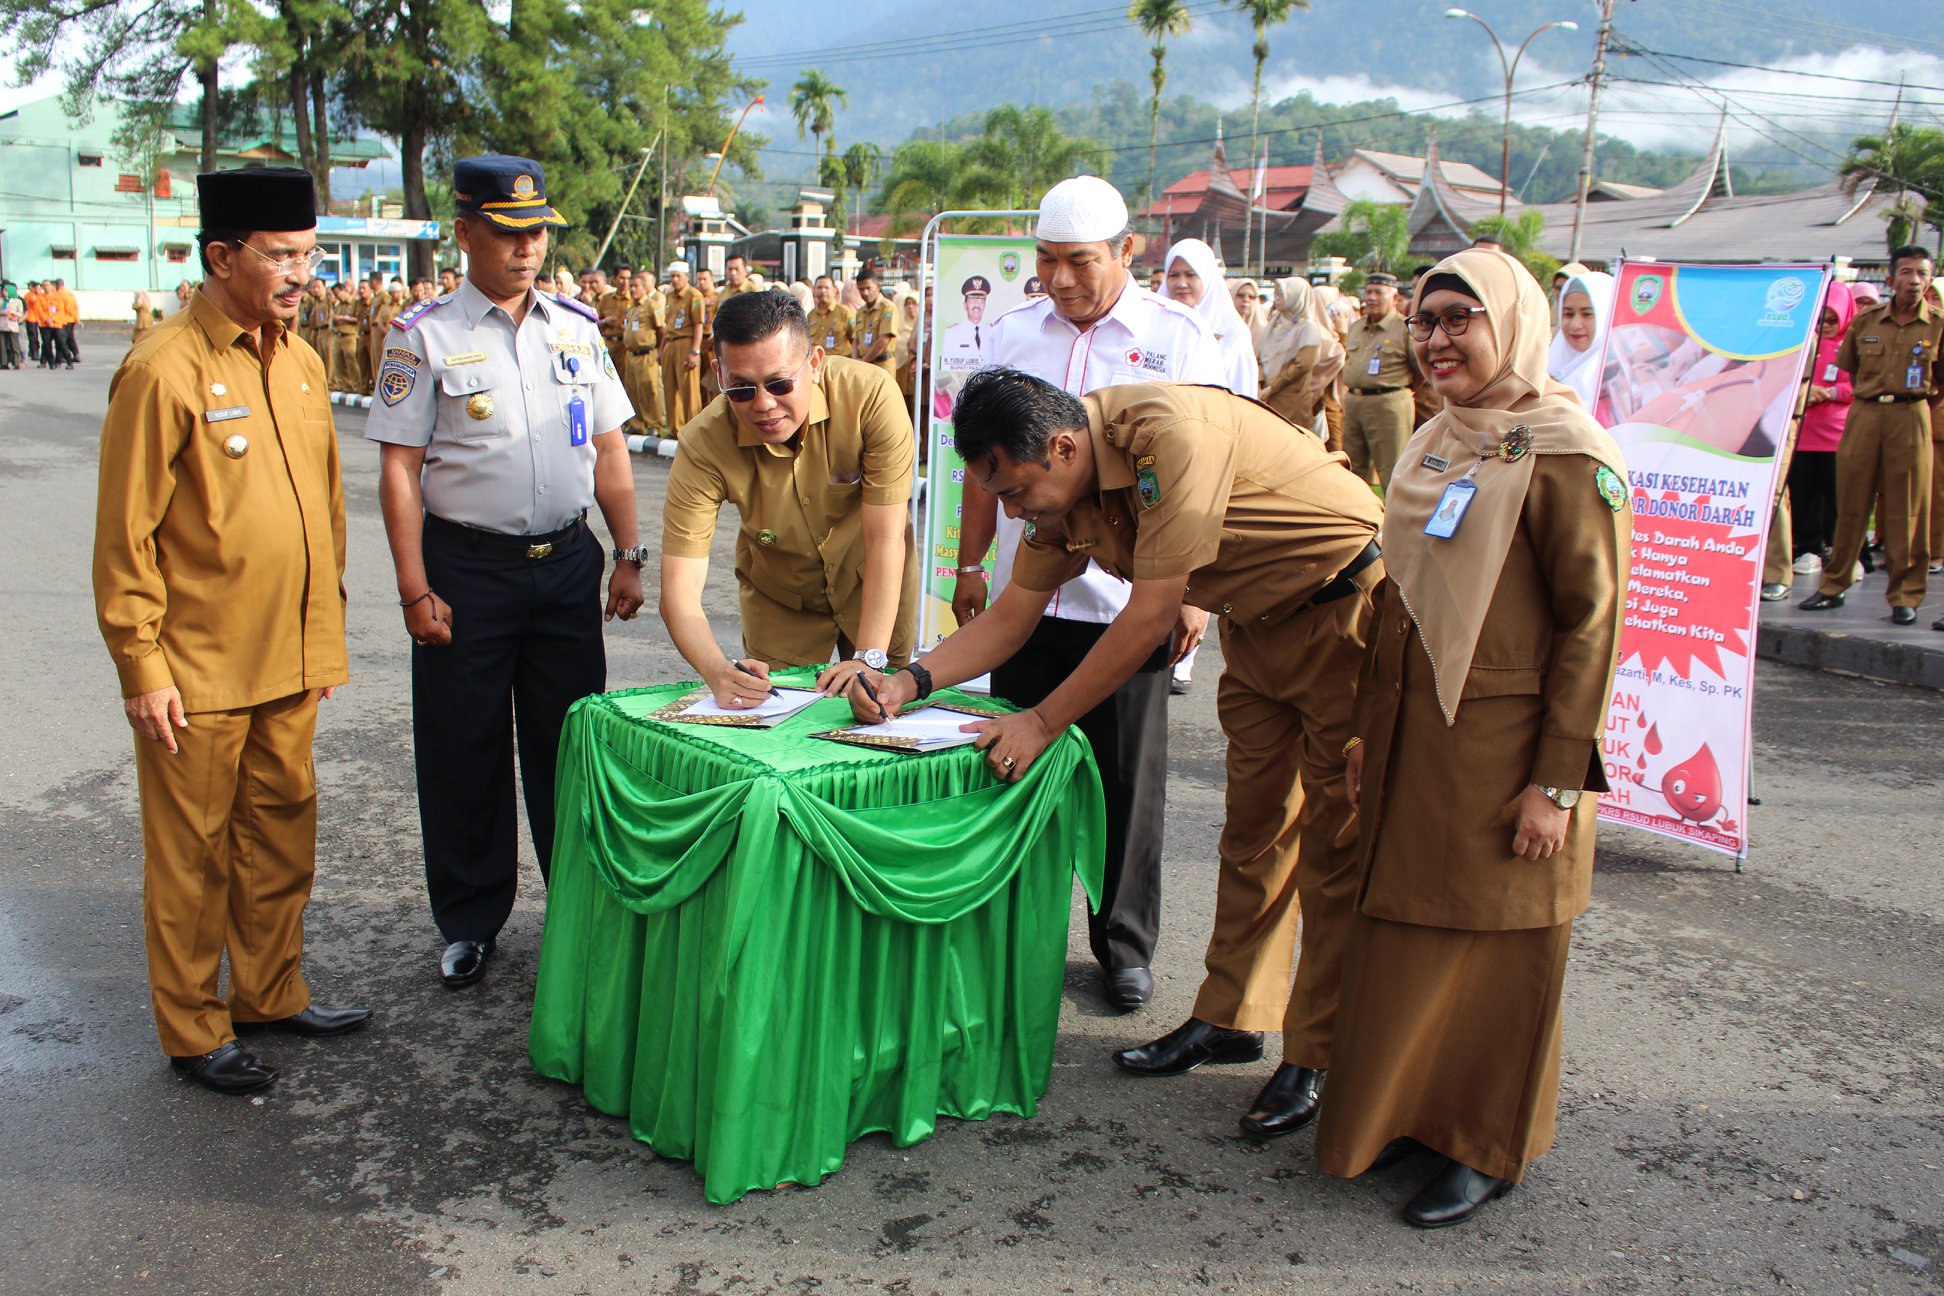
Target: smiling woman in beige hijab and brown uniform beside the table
x,y
1478,728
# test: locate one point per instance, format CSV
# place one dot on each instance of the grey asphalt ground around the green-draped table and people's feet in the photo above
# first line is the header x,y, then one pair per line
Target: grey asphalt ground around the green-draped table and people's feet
x,y
1751,1097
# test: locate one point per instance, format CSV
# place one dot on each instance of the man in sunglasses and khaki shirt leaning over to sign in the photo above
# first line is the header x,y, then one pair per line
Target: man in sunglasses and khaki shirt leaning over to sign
x,y
816,454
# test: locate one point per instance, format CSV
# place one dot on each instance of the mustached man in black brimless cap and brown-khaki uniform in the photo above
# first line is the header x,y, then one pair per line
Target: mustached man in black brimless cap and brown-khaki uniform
x,y
221,596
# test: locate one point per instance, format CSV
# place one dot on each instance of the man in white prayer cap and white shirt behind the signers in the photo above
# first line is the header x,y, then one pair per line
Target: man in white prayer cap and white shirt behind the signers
x,y
1095,327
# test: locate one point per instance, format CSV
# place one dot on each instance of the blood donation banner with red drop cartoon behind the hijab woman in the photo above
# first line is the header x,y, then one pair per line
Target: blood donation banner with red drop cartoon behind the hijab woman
x,y
1700,386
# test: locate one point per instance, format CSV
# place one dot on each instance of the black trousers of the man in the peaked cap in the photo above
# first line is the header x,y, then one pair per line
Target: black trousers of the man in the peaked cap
x,y
526,648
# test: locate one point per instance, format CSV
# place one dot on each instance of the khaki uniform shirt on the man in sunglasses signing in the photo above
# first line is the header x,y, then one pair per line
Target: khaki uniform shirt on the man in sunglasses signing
x,y
802,520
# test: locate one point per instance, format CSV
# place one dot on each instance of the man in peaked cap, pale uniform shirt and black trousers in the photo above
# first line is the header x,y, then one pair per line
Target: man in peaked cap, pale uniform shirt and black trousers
x,y
499,415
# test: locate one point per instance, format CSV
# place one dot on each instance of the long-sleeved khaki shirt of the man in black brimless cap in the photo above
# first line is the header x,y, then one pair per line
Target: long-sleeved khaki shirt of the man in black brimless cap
x,y
221,516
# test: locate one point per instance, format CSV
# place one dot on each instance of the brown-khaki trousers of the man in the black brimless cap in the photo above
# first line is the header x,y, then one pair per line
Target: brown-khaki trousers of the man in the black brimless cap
x,y
230,848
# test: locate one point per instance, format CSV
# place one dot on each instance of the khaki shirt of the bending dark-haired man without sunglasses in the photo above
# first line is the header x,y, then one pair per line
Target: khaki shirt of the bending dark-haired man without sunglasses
x,y
1198,483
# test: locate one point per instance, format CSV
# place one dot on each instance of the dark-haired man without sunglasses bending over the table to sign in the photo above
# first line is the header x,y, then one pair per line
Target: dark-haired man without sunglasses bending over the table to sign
x,y
1198,496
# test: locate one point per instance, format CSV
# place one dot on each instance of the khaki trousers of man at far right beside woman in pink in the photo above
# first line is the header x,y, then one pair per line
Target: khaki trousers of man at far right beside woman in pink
x,y
1885,460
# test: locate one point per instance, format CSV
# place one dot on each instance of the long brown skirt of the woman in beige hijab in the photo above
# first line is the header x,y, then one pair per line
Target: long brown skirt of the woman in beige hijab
x,y
1449,1039
